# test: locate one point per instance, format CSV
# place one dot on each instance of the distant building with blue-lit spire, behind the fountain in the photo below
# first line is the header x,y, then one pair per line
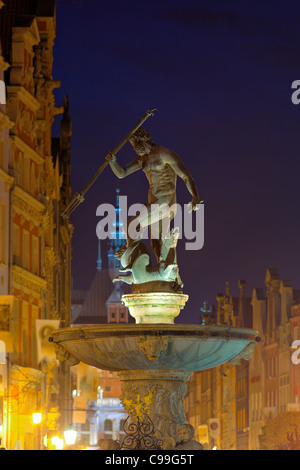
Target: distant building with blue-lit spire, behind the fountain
x,y
99,391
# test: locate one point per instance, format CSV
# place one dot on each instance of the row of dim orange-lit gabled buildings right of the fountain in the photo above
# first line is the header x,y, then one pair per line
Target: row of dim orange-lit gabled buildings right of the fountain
x,y
240,399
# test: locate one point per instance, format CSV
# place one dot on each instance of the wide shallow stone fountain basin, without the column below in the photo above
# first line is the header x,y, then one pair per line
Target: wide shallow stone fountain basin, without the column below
x,y
160,346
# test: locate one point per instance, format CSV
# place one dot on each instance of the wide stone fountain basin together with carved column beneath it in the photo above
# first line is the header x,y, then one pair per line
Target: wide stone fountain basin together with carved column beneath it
x,y
154,361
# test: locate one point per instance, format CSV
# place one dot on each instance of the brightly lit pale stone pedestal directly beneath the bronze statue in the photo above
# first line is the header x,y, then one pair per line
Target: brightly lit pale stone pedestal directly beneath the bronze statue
x,y
154,307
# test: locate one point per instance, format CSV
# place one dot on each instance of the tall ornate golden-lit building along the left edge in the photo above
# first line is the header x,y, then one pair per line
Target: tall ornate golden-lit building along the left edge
x,y
39,253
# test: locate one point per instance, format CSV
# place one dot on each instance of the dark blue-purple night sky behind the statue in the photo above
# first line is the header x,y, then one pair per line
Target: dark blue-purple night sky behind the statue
x,y
220,74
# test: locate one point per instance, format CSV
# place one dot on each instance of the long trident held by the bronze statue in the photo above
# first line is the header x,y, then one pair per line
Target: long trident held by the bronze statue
x,y
79,197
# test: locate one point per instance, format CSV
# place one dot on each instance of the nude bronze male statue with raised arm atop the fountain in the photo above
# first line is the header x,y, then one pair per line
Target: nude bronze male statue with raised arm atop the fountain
x,y
161,167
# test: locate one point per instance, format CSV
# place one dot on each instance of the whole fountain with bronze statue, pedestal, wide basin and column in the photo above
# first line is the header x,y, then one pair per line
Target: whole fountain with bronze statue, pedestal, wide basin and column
x,y
154,358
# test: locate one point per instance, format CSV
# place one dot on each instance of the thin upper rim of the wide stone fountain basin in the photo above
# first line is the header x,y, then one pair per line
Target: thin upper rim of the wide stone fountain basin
x,y
158,329
